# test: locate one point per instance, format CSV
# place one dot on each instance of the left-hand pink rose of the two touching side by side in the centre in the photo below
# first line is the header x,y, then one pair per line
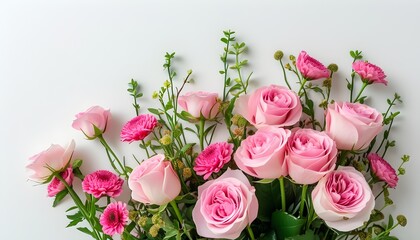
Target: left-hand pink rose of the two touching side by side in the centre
x,y
262,155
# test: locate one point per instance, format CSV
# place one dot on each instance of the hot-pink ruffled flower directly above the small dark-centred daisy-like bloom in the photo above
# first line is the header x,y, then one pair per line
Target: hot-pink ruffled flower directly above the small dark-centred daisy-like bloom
x,y
102,183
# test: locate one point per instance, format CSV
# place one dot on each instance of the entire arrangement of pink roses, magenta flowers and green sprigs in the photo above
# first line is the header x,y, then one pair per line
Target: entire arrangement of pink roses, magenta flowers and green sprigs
x,y
297,163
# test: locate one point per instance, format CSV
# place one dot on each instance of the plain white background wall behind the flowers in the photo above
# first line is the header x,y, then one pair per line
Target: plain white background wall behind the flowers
x,y
58,58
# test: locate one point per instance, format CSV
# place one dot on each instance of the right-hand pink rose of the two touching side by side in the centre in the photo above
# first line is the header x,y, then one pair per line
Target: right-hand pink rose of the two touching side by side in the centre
x,y
310,155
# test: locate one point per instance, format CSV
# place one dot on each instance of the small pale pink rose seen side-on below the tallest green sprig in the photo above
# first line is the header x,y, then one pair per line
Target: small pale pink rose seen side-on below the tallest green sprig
x,y
200,103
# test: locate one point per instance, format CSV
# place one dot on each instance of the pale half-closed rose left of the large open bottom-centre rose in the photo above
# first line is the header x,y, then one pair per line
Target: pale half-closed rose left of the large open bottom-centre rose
x,y
154,181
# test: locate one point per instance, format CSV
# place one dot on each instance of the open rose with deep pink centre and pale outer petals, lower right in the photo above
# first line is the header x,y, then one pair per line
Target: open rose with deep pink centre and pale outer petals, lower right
x,y
343,199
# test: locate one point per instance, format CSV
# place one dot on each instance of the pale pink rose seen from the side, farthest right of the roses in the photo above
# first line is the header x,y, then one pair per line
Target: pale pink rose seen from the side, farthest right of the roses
x,y
352,125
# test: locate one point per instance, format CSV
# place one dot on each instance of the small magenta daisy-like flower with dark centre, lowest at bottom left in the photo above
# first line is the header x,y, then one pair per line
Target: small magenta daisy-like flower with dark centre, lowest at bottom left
x,y
114,218
